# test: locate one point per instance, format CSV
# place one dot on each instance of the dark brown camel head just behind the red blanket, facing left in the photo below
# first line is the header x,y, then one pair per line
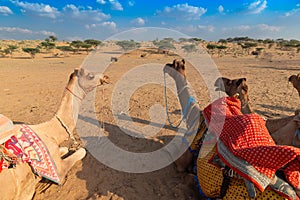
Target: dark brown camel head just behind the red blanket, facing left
x,y
237,88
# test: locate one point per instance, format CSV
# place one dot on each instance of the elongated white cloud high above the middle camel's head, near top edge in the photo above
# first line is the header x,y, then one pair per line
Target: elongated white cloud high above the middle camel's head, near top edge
x,y
183,11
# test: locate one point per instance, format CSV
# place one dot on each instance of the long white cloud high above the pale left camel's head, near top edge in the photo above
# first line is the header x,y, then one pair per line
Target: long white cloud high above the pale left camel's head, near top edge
x,y
83,14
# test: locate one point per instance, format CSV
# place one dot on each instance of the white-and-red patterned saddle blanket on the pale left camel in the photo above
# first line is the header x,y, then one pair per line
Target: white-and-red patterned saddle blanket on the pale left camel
x,y
26,146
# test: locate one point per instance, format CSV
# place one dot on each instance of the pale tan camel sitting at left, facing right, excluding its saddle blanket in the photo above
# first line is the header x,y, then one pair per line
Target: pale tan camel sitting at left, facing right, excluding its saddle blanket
x,y
20,182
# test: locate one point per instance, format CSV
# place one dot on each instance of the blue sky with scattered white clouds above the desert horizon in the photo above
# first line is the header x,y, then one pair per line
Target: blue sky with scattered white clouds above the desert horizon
x,y
100,19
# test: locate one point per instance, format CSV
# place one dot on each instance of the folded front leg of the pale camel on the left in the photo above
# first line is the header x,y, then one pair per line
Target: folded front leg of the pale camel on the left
x,y
69,162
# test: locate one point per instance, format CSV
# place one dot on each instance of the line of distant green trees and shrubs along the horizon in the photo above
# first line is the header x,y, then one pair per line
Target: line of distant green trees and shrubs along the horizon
x,y
163,45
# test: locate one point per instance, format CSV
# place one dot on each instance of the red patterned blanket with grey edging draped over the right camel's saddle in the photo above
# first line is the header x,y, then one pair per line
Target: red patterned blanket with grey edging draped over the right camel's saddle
x,y
246,145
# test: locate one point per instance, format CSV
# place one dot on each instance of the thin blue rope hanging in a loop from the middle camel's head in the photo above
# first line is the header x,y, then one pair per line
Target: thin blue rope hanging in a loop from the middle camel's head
x,y
190,100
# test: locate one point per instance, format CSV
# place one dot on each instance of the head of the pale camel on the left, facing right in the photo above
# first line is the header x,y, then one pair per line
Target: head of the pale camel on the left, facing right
x,y
88,80
